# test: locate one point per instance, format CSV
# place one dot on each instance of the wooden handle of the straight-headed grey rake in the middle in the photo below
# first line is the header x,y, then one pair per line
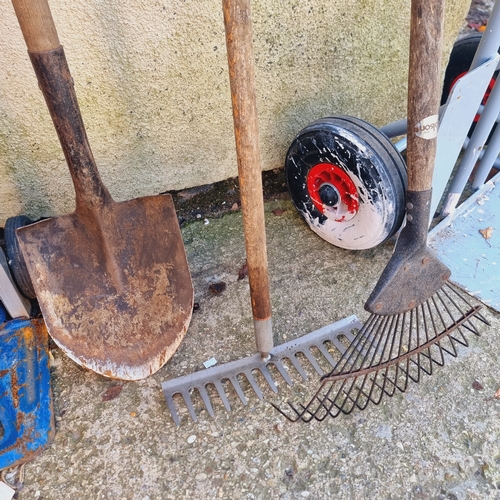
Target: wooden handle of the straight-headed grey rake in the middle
x,y
238,25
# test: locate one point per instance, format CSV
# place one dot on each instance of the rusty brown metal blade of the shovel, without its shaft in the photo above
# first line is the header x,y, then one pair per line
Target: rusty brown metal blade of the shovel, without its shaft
x,y
115,291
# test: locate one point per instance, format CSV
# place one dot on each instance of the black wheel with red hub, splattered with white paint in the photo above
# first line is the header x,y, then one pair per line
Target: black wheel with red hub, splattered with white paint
x,y
348,182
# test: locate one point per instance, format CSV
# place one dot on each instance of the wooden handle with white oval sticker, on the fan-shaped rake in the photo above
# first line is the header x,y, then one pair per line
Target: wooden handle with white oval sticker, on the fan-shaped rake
x,y
424,90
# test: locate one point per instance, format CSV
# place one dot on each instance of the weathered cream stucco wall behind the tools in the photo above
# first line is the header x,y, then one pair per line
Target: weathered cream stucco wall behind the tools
x,y
151,78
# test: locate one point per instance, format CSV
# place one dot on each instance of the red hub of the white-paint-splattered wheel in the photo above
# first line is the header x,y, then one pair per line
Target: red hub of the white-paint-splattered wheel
x,y
327,174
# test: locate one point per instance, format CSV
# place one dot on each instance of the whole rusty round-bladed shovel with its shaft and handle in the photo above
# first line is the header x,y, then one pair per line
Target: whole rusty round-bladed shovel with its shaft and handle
x,y
111,278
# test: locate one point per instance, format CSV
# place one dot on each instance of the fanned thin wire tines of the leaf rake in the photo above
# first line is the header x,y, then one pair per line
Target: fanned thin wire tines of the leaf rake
x,y
389,351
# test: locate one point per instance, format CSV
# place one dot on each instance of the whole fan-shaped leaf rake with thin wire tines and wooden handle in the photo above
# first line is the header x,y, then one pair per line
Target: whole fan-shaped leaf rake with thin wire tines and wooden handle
x,y
416,315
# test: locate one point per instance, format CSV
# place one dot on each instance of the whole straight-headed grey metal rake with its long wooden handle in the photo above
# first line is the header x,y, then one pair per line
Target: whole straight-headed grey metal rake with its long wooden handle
x,y
328,340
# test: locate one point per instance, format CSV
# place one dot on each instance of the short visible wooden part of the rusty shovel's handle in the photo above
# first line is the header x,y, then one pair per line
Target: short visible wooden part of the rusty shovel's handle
x,y
37,25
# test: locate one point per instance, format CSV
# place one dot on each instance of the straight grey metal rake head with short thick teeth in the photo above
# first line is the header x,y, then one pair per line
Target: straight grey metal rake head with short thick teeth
x,y
328,342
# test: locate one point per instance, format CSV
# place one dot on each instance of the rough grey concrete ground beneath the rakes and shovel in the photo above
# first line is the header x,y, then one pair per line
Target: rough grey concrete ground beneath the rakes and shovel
x,y
439,440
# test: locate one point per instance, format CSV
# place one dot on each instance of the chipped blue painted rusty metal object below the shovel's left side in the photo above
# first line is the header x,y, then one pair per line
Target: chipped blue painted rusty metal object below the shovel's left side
x,y
26,415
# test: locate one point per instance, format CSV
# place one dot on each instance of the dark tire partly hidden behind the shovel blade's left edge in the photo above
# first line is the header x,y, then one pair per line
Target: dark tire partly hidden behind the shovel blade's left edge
x,y
15,257
